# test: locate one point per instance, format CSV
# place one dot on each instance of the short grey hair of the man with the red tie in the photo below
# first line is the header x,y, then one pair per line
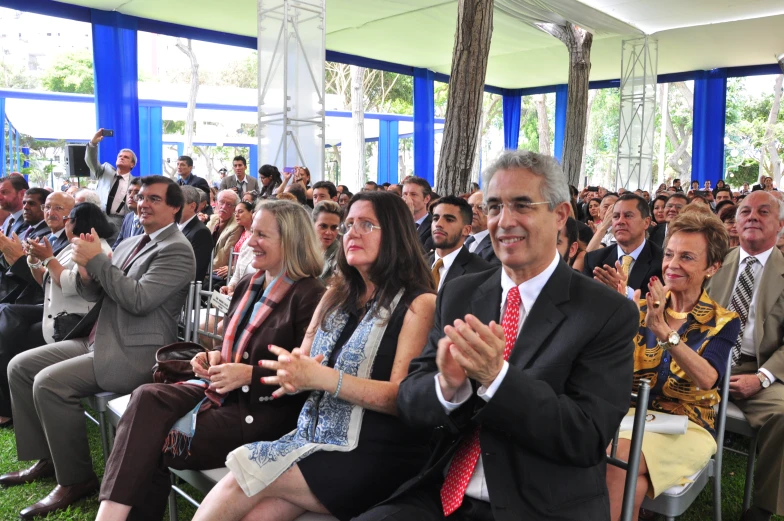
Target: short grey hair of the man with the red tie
x,y
554,188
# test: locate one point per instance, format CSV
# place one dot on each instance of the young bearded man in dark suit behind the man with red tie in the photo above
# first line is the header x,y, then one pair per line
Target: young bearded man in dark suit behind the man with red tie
x,y
451,225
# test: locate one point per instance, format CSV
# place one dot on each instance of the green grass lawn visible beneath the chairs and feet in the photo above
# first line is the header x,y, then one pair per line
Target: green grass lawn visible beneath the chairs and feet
x,y
14,499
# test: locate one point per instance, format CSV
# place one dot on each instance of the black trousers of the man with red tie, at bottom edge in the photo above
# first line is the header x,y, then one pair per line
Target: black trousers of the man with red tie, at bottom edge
x,y
423,503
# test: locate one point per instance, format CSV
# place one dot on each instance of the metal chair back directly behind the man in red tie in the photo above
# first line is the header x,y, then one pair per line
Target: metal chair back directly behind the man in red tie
x,y
635,450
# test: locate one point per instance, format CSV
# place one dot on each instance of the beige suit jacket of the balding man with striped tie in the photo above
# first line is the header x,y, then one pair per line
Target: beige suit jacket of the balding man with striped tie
x,y
768,303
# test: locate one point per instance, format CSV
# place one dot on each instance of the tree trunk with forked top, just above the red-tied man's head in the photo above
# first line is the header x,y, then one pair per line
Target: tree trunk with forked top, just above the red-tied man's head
x,y
578,42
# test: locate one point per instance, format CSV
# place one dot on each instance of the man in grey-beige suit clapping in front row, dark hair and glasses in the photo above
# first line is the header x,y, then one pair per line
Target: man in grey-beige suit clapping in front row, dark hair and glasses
x,y
141,289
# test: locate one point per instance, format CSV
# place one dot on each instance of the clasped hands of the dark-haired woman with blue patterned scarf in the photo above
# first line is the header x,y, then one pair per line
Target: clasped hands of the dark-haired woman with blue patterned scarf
x,y
296,371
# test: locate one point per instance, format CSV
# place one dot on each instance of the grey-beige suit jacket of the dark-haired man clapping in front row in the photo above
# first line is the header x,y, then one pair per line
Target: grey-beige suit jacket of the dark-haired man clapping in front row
x,y
141,305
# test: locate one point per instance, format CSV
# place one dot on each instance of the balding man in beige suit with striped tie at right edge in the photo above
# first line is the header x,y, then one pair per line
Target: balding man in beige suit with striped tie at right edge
x,y
758,357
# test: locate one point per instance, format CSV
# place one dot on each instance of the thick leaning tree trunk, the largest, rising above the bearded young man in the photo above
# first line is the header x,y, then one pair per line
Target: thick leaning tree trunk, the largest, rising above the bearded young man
x,y
466,91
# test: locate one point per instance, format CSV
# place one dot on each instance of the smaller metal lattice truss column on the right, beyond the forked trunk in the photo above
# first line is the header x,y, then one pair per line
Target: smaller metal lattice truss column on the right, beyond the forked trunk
x,y
637,114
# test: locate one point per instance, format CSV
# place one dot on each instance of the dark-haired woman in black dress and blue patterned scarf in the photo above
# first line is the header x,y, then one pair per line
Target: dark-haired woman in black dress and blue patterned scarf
x,y
349,450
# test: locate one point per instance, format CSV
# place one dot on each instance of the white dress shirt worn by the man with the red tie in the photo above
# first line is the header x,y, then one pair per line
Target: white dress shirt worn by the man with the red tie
x,y
529,292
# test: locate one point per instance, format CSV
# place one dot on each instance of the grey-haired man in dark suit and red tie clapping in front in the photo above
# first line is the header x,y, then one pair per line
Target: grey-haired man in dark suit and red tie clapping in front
x,y
526,373
